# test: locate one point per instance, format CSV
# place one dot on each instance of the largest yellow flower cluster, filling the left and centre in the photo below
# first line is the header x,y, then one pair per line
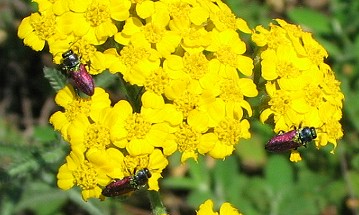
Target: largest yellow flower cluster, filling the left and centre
x,y
190,60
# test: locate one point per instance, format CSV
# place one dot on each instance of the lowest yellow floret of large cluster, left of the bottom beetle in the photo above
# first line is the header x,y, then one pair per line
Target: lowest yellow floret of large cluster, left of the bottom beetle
x,y
90,174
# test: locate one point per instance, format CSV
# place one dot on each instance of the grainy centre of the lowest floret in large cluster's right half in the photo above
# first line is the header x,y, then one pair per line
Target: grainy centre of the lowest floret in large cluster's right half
x,y
186,138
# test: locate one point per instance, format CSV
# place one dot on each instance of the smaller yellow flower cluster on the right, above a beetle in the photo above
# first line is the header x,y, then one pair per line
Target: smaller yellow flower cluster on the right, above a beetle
x,y
302,89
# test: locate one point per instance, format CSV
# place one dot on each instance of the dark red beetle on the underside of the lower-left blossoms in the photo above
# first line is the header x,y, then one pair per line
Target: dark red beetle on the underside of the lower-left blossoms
x,y
128,184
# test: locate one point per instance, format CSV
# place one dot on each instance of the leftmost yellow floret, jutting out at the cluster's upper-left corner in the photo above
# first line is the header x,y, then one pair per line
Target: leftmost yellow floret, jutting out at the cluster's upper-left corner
x,y
36,29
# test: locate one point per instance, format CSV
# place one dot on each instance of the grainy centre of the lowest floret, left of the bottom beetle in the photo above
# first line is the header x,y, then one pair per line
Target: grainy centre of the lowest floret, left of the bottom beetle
x,y
85,176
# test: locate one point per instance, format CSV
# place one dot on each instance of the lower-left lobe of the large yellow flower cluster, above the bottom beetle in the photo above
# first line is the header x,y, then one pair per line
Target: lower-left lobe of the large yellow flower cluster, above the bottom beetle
x,y
106,142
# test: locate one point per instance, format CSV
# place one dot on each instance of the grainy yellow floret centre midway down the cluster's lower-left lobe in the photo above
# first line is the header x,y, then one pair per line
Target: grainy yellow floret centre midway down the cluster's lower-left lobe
x,y
97,136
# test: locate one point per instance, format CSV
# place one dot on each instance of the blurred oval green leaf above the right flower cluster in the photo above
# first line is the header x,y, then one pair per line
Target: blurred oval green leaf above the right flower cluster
x,y
316,21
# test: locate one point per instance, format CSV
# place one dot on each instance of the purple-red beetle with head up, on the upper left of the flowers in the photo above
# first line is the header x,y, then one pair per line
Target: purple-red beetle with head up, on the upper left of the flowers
x,y
77,73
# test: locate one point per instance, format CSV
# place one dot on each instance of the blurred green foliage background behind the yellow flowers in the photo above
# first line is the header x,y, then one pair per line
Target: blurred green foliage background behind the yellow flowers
x,y
254,181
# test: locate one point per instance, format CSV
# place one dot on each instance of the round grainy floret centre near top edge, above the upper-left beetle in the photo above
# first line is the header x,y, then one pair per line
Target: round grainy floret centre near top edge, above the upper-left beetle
x,y
97,14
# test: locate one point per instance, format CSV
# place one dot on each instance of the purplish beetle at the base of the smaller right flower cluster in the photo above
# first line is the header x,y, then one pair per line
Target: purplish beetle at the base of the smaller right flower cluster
x,y
291,140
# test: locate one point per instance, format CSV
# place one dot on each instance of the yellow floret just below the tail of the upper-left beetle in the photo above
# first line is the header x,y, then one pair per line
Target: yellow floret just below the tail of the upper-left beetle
x,y
77,108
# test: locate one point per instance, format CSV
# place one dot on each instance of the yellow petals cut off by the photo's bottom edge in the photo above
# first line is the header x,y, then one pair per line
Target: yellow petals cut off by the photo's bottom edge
x,y
226,209
